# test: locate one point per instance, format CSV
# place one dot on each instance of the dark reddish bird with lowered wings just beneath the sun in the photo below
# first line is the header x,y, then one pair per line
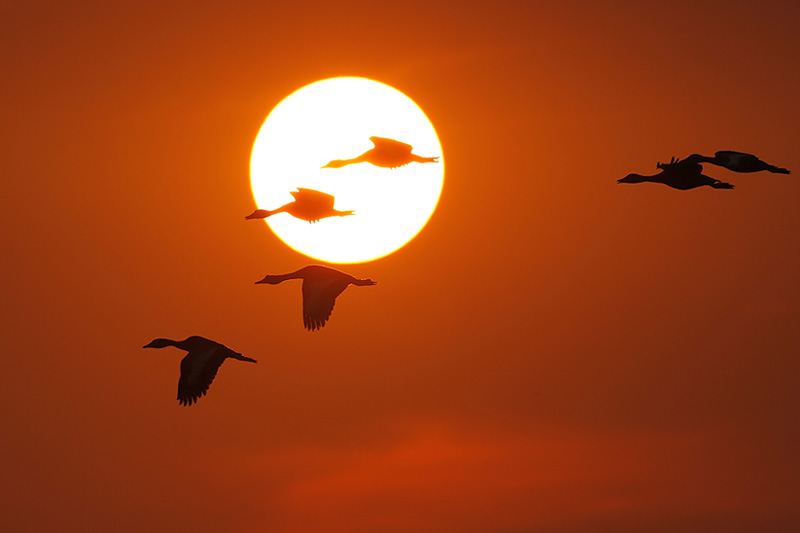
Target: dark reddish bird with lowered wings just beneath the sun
x,y
321,286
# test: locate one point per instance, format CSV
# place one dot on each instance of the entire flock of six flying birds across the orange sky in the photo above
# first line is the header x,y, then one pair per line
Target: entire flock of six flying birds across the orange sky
x,y
321,284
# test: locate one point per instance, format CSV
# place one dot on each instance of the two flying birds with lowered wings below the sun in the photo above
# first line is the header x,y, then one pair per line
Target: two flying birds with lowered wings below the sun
x,y
321,286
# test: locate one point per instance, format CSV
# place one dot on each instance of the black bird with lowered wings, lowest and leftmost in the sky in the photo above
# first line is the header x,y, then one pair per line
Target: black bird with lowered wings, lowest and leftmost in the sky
x,y
199,366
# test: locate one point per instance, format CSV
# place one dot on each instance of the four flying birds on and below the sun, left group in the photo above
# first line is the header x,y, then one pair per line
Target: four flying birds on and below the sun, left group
x,y
321,284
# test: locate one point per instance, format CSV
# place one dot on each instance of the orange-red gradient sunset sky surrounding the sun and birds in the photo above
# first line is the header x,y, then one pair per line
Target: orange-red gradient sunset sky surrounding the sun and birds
x,y
554,352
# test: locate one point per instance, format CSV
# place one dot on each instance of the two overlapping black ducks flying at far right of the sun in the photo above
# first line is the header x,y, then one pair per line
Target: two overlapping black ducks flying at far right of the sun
x,y
685,174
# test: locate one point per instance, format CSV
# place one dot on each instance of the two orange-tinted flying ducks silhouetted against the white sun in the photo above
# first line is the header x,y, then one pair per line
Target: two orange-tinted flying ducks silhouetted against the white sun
x,y
312,205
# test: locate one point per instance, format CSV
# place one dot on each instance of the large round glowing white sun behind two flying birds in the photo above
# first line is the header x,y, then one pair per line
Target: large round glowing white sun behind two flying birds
x,y
334,119
